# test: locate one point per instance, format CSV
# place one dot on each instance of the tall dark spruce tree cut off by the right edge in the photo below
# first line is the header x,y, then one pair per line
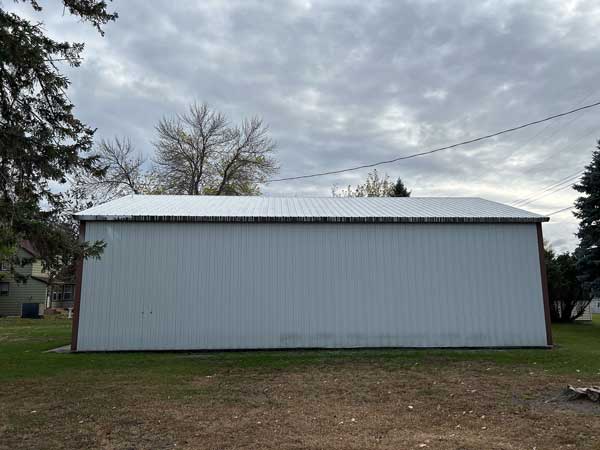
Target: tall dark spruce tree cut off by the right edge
x,y
588,212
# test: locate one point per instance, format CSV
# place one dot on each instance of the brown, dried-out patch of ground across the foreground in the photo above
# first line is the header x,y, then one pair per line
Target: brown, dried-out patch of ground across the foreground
x,y
348,406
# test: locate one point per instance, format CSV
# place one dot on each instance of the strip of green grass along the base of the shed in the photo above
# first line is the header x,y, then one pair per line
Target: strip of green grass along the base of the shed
x,y
23,344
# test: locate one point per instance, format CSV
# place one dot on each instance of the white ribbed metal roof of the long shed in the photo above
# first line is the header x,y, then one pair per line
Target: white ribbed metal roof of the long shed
x,y
187,208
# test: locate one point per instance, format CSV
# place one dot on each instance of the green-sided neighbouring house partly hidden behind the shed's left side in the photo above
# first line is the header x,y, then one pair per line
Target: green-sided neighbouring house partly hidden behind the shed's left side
x,y
13,294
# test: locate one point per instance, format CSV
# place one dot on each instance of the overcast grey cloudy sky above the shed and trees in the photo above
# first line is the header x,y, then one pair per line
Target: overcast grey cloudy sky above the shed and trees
x,y
343,83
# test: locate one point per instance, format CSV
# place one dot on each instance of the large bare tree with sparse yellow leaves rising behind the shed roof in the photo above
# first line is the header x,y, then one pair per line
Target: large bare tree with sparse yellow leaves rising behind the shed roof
x,y
200,153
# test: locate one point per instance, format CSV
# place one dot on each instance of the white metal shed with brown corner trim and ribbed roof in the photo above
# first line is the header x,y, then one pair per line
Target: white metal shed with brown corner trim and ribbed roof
x,y
193,272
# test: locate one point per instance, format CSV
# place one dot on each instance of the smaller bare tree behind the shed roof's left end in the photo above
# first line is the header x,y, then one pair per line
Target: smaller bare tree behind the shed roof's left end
x,y
123,173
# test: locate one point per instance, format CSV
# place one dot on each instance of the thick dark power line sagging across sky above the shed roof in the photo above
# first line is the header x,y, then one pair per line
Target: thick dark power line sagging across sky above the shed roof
x,y
429,152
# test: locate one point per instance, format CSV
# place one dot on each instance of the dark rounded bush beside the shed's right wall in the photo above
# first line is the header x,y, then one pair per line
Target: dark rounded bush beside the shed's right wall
x,y
568,298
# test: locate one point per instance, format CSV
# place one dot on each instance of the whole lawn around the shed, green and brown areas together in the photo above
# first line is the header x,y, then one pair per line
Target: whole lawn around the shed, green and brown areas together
x,y
467,399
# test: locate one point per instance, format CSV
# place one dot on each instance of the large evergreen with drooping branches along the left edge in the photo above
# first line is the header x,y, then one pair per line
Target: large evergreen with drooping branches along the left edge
x,y
41,141
